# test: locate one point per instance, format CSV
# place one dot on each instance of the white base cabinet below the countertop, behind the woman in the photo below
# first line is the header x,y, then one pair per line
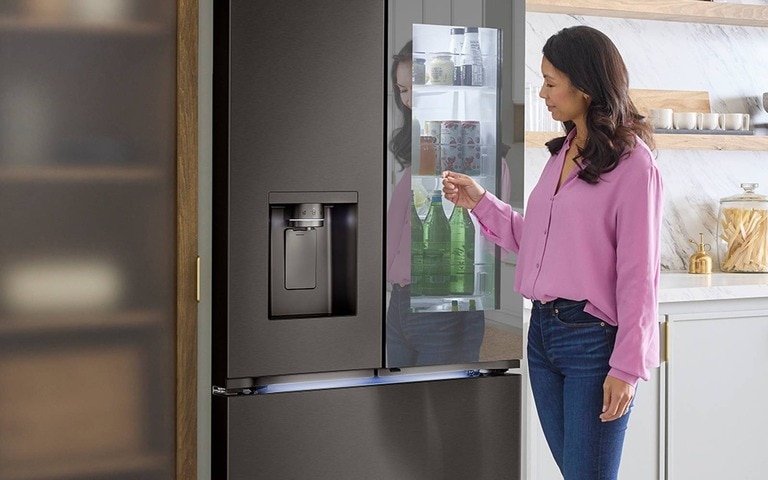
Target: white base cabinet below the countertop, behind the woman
x,y
702,415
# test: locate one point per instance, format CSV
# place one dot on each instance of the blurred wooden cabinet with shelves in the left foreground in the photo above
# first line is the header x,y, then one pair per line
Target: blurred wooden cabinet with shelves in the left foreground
x,y
98,121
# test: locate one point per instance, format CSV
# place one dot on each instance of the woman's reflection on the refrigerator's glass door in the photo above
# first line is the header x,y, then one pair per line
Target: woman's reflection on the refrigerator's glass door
x,y
417,338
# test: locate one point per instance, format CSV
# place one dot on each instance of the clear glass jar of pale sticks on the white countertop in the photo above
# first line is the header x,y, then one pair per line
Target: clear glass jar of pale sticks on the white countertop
x,y
742,231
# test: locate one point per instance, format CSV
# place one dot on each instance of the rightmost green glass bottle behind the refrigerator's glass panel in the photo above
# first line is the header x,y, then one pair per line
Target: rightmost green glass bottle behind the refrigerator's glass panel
x,y
462,252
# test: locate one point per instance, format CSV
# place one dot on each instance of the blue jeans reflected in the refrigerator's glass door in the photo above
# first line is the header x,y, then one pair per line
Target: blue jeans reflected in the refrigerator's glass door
x,y
431,338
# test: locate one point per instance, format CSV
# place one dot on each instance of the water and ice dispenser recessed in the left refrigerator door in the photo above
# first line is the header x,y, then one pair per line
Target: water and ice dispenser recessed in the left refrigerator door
x,y
313,254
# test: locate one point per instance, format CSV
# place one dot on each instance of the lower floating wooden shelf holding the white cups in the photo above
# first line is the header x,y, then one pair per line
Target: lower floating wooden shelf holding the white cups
x,y
677,141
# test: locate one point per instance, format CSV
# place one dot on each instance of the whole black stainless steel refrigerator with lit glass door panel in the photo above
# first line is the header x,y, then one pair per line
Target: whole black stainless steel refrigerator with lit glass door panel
x,y
326,363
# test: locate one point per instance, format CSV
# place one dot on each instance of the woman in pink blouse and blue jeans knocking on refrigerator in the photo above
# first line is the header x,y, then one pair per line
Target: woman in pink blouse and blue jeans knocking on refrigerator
x,y
588,254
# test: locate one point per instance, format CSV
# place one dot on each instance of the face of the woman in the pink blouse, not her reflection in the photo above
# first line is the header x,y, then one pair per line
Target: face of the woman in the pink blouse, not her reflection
x,y
564,101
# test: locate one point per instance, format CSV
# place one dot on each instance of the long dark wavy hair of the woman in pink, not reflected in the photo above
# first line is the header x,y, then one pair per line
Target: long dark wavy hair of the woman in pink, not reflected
x,y
594,65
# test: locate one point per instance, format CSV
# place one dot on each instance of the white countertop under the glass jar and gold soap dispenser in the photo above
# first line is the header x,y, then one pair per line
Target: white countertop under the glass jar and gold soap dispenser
x,y
686,287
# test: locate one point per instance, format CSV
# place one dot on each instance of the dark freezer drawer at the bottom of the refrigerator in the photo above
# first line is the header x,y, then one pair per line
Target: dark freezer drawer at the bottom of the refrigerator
x,y
449,429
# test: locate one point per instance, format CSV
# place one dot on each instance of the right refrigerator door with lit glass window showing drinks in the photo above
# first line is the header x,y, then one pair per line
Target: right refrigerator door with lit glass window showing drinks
x,y
443,275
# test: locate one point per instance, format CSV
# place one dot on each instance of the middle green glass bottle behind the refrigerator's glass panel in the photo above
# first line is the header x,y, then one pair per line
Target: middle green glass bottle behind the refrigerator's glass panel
x,y
437,249
